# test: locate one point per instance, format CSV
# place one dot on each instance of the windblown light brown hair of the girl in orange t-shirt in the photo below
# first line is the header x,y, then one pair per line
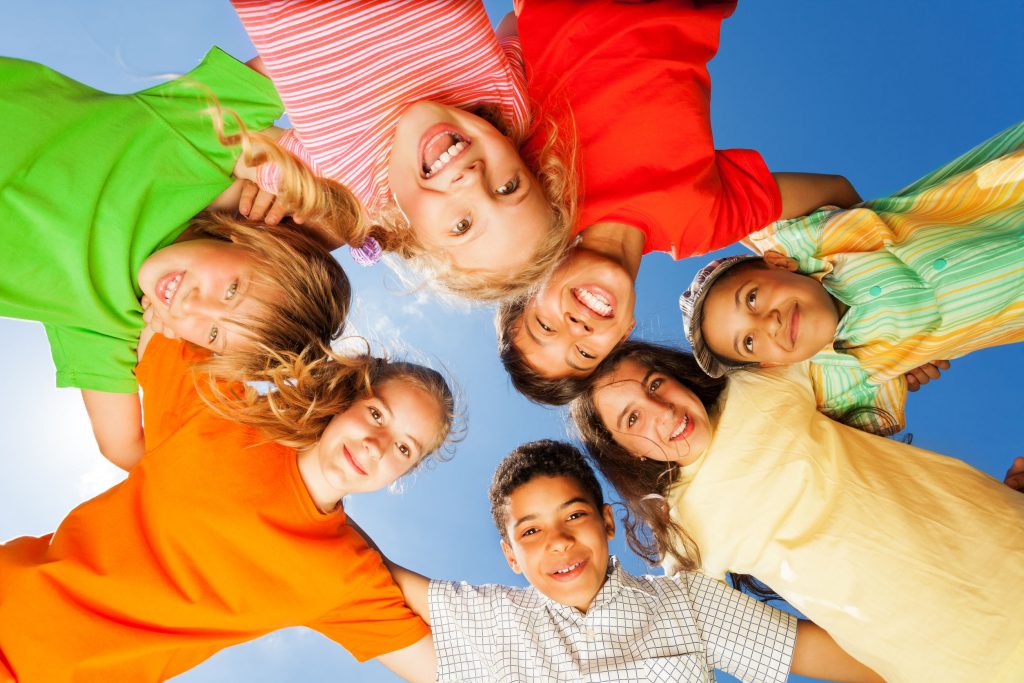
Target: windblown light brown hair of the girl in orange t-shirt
x,y
306,391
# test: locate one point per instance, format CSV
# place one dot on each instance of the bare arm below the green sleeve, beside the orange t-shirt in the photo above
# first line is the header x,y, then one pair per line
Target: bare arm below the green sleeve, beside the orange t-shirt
x,y
117,424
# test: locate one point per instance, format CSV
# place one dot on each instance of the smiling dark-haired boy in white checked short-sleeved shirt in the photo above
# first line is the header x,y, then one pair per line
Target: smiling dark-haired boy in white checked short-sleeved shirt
x,y
584,616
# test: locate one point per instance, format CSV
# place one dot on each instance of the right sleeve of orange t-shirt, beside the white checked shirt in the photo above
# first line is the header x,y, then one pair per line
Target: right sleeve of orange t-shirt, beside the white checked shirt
x,y
376,621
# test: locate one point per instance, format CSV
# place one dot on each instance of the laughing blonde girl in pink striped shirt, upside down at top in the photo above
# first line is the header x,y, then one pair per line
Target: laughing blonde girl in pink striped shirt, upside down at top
x,y
419,109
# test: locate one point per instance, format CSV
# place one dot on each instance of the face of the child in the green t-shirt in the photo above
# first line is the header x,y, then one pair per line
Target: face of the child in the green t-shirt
x,y
196,287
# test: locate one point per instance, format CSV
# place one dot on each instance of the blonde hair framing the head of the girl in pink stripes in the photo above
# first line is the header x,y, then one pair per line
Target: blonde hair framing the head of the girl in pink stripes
x,y
556,167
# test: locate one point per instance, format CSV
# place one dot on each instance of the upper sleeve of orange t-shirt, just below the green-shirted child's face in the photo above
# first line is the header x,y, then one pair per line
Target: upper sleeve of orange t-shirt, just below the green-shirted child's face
x,y
169,396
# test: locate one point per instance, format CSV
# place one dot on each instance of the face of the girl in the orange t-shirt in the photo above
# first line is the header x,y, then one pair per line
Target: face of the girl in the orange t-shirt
x,y
372,444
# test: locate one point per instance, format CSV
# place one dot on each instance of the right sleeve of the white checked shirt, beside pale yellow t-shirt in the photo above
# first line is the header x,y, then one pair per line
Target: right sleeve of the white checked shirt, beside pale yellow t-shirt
x,y
746,638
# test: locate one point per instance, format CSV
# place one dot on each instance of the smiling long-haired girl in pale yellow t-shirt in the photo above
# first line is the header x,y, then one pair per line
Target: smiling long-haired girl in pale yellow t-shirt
x,y
903,556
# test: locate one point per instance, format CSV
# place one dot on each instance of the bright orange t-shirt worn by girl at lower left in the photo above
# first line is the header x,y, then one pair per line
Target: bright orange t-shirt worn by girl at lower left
x,y
211,541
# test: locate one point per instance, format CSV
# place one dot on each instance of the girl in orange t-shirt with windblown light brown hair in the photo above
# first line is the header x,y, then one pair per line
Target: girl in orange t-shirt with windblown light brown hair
x,y
220,535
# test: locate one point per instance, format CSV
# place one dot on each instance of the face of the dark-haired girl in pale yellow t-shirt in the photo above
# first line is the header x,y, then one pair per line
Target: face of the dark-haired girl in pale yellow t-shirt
x,y
652,415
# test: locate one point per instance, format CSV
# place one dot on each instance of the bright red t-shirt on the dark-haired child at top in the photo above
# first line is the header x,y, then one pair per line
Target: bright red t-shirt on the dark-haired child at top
x,y
635,78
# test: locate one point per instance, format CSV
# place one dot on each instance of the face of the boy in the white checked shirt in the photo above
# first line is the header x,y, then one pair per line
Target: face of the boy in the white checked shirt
x,y
559,539
